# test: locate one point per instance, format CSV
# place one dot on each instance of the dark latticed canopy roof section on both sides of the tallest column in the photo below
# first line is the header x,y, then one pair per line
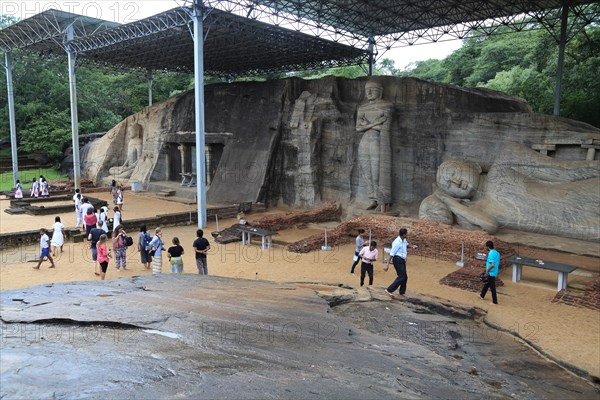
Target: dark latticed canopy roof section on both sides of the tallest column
x,y
233,45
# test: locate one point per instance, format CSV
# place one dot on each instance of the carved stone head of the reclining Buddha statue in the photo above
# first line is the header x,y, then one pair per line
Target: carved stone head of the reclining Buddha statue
x,y
458,178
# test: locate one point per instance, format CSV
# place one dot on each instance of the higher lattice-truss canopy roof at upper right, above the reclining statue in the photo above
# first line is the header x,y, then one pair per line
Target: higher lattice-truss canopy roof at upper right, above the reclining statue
x,y
394,23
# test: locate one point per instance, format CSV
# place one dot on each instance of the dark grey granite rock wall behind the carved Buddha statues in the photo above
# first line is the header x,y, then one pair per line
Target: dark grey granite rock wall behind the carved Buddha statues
x,y
294,142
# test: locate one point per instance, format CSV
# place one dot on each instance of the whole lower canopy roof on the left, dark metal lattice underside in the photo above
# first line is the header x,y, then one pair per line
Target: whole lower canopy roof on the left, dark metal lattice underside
x,y
233,45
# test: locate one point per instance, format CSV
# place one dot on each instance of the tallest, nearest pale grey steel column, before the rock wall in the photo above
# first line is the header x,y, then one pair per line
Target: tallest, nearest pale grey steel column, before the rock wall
x,y
197,16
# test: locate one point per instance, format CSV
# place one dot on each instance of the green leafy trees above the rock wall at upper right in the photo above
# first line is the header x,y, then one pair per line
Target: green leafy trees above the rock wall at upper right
x,y
524,64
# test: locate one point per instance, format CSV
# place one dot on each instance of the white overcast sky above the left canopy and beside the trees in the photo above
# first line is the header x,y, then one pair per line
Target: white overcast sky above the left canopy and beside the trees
x,y
125,11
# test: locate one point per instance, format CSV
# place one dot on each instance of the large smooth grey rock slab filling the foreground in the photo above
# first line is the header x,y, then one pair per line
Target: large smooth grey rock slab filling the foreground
x,y
205,337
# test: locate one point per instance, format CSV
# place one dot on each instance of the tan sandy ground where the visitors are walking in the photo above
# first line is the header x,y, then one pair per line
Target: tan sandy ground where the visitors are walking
x,y
567,333
